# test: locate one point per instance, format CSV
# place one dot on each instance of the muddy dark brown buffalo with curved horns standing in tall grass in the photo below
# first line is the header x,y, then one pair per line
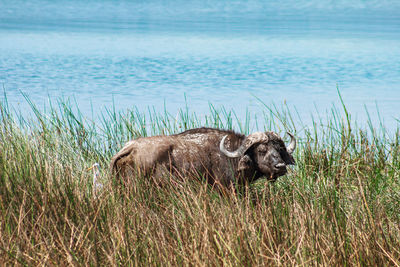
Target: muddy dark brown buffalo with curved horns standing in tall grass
x,y
223,157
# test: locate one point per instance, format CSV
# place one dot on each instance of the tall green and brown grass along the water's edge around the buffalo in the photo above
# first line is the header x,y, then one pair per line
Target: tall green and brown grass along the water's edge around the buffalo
x,y
338,205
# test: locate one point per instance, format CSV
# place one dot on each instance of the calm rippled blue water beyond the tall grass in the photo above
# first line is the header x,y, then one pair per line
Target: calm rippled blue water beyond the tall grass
x,y
147,53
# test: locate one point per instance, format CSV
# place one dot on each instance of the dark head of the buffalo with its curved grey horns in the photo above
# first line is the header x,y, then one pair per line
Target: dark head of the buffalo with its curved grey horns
x,y
263,152
